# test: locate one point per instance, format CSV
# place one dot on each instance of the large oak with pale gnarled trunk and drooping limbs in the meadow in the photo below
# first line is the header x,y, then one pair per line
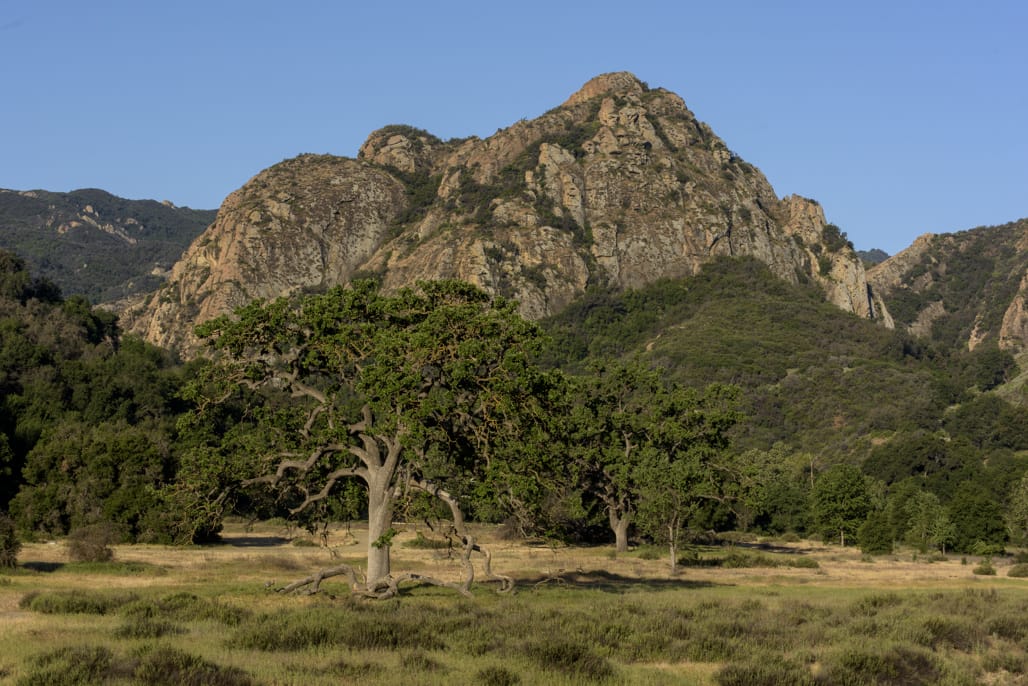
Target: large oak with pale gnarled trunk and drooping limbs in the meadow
x,y
432,389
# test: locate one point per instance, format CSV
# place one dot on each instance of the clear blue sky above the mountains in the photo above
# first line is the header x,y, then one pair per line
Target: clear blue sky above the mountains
x,y
899,117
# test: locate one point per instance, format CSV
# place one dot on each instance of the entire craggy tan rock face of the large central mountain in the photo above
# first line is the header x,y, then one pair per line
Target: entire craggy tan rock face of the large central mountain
x,y
618,187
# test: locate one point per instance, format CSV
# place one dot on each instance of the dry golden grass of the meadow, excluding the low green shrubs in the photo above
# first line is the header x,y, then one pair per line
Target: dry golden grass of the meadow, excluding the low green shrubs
x,y
553,580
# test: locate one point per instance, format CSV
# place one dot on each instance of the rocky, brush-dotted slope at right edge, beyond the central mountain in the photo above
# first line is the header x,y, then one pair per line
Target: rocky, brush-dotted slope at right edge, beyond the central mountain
x,y
964,290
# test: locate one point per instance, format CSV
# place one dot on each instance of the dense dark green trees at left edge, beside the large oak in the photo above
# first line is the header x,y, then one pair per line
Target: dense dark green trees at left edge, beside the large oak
x,y
87,427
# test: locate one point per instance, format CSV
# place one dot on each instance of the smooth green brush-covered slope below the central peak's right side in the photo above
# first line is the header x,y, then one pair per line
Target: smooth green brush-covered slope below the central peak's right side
x,y
821,380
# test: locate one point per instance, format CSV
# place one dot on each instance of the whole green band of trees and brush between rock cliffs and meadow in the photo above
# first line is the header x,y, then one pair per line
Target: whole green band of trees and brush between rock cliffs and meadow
x,y
755,407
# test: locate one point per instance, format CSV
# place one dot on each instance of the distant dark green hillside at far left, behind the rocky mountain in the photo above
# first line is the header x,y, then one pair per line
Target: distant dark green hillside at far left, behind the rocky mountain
x,y
94,244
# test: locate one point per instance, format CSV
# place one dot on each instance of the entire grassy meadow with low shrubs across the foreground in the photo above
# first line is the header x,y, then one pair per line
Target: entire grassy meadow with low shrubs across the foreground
x,y
751,613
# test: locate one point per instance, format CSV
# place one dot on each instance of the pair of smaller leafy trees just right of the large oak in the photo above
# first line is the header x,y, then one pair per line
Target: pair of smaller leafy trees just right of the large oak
x,y
641,446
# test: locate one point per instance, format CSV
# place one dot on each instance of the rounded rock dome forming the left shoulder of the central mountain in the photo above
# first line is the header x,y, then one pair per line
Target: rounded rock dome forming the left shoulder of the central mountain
x,y
306,224
